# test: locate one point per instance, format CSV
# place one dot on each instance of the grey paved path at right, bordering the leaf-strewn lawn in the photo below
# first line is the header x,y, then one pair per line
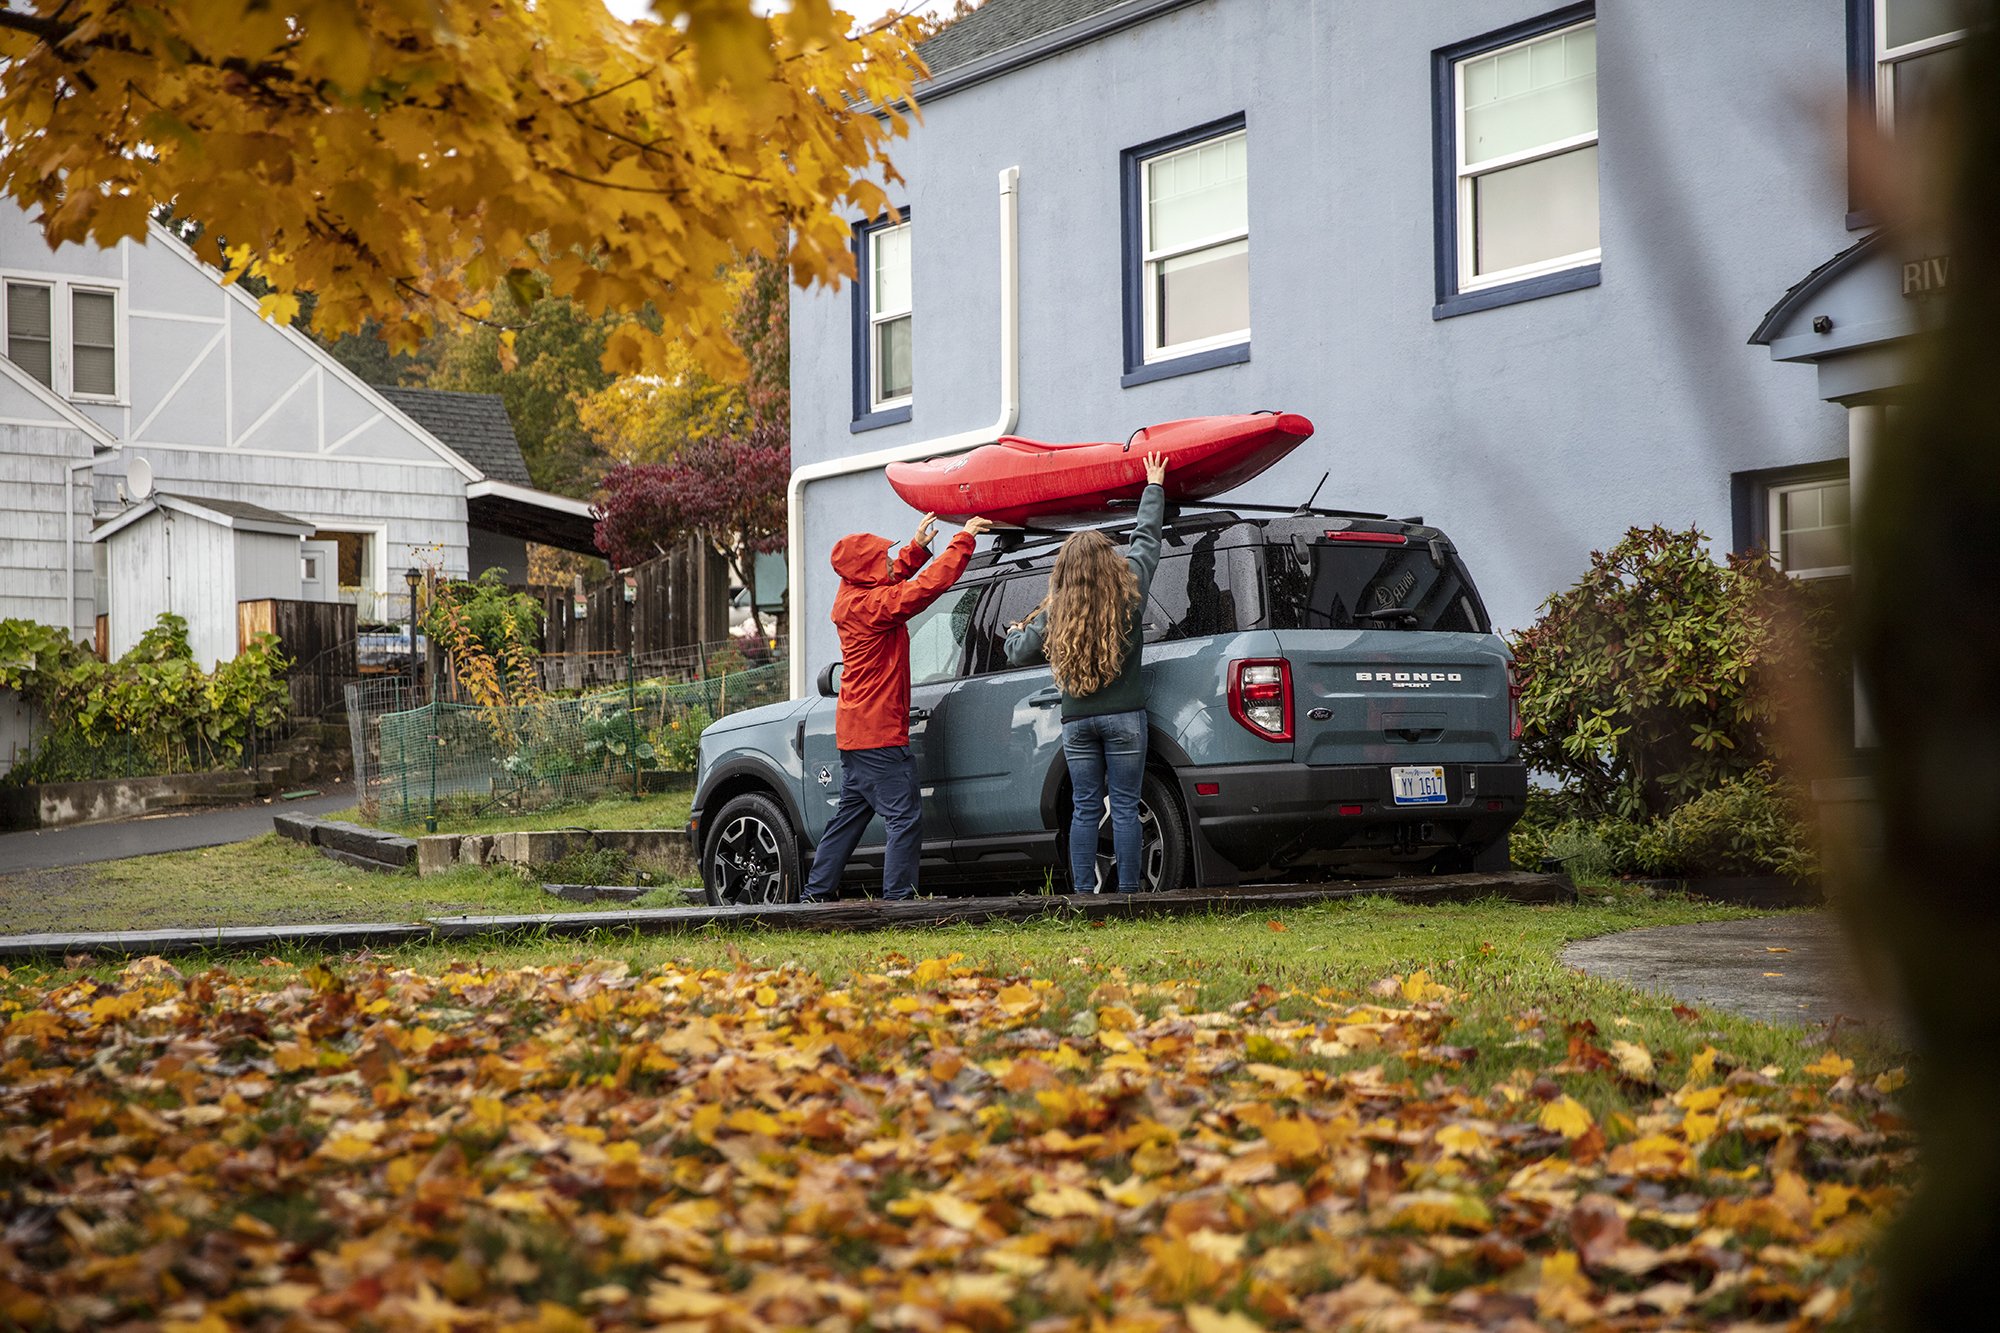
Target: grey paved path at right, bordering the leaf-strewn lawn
x,y
1777,970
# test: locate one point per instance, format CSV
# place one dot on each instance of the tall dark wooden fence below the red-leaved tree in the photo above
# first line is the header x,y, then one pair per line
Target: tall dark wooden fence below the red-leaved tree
x,y
667,603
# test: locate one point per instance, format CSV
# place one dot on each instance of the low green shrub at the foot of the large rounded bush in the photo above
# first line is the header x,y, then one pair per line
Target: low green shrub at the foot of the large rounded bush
x,y
1747,826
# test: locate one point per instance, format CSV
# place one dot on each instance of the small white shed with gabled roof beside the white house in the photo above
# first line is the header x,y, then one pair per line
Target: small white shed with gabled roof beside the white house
x,y
197,559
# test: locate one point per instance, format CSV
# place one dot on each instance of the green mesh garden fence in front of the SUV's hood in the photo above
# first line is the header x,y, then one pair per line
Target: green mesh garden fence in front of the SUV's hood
x,y
461,760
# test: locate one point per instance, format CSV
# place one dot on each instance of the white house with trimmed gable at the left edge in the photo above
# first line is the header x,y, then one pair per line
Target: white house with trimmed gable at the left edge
x,y
139,355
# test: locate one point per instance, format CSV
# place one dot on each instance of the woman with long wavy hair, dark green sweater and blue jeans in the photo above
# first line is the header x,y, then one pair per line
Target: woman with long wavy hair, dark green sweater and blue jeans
x,y
1089,629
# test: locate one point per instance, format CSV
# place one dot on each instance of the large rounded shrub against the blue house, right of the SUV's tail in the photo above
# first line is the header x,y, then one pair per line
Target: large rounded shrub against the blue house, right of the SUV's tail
x,y
1665,674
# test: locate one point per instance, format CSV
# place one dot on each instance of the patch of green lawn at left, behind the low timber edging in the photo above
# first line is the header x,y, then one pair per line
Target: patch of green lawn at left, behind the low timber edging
x,y
263,882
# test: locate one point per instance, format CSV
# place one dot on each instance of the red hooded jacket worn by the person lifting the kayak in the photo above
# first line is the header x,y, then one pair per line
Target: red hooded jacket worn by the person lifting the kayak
x,y
871,609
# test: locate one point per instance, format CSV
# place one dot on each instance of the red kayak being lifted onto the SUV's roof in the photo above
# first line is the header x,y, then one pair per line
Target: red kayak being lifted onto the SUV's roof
x,y
1019,481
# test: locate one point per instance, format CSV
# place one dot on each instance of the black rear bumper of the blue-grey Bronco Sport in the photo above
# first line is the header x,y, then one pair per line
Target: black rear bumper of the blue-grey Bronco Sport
x,y
1271,818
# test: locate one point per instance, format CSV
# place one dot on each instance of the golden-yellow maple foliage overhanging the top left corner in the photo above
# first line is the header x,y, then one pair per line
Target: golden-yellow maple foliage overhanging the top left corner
x,y
407,159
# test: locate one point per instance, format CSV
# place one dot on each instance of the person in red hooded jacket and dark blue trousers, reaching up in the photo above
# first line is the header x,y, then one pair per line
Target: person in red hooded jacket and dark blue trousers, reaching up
x,y
873,720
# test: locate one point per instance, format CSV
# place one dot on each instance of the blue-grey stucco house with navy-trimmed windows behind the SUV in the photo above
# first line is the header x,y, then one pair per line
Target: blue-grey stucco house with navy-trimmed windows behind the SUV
x,y
1507,255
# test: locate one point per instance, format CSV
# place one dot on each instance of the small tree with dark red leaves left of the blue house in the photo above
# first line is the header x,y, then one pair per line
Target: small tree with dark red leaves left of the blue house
x,y
725,489
